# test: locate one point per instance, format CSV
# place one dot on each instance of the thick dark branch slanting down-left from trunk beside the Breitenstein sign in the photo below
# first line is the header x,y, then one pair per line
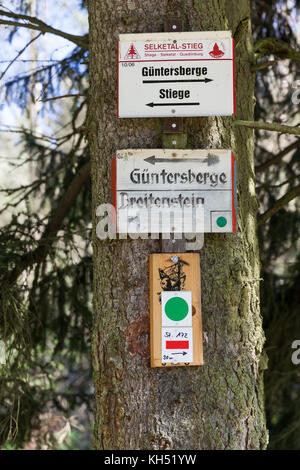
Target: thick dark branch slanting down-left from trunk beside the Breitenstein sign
x,y
56,218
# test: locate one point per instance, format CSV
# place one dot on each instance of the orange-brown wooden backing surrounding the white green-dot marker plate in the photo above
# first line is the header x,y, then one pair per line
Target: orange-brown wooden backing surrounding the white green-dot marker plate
x,y
188,279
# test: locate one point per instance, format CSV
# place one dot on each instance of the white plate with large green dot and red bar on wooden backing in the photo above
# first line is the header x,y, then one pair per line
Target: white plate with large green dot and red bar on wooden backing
x,y
177,329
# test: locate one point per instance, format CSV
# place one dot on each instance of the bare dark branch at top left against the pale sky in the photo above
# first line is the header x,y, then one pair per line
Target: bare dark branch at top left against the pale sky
x,y
39,25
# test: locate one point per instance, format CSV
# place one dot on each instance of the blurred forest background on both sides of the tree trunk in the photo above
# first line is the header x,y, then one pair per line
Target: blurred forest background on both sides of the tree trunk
x,y
46,391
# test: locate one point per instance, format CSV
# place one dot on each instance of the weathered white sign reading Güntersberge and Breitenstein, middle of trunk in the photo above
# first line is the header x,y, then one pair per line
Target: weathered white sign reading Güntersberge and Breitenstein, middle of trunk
x,y
197,187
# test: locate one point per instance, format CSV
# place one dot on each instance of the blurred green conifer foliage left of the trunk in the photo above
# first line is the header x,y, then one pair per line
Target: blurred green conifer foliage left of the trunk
x,y
45,314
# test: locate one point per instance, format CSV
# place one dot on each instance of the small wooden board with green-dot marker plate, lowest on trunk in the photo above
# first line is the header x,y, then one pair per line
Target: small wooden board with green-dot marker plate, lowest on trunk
x,y
175,310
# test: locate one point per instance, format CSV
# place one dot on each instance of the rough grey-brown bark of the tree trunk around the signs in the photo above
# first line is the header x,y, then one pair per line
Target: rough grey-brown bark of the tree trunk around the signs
x,y
219,405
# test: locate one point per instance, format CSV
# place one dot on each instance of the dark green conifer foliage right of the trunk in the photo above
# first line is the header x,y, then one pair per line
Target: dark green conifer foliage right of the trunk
x,y
279,237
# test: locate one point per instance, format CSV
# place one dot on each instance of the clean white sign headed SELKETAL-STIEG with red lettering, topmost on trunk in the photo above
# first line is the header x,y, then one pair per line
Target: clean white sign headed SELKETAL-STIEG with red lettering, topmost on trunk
x,y
176,74
